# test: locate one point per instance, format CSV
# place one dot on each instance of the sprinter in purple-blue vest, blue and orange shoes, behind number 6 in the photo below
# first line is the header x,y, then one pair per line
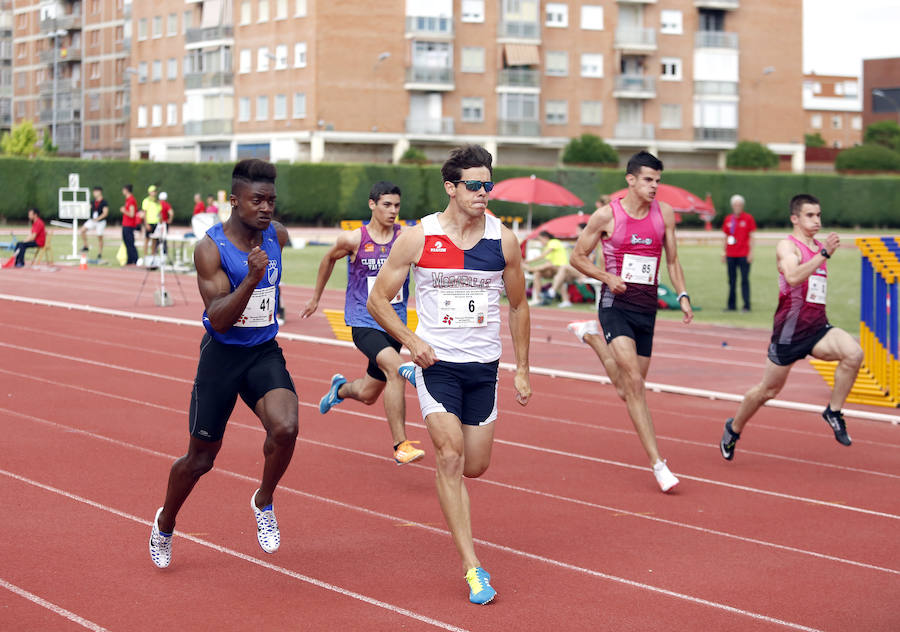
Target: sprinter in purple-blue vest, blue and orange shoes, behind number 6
x,y
366,249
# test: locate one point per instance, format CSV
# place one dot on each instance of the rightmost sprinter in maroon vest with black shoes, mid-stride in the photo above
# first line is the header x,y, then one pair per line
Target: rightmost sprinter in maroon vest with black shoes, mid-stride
x,y
801,326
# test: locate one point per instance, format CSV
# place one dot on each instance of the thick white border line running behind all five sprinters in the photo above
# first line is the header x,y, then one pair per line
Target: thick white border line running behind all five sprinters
x,y
653,386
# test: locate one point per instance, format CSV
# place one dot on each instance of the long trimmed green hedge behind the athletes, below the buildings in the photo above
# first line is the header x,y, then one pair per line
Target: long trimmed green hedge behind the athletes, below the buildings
x,y
323,194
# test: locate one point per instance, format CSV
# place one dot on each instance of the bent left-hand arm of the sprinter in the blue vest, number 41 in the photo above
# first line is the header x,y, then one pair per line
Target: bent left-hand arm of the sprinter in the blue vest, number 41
x,y
224,307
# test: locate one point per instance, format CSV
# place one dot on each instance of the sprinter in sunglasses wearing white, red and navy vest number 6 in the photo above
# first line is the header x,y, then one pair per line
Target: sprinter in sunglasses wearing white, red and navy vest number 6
x,y
464,259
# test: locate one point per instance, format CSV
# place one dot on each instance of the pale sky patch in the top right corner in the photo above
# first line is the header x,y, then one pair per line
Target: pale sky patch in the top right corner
x,y
838,35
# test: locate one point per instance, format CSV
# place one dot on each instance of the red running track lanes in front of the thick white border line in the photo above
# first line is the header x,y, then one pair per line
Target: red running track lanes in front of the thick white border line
x,y
797,532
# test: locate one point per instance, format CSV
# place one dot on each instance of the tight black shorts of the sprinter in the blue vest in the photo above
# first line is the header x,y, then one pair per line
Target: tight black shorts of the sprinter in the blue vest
x,y
226,371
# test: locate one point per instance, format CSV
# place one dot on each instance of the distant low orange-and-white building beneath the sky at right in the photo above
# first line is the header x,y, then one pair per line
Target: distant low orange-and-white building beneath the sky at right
x,y
833,108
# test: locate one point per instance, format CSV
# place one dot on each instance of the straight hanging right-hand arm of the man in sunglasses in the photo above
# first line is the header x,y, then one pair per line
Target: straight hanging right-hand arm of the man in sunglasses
x,y
519,315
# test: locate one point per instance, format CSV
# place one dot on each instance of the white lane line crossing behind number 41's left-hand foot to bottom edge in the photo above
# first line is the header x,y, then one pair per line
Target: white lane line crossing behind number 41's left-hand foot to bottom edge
x,y
242,556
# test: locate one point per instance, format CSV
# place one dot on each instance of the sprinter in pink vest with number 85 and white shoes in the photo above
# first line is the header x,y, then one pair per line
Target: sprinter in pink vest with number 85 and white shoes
x,y
633,231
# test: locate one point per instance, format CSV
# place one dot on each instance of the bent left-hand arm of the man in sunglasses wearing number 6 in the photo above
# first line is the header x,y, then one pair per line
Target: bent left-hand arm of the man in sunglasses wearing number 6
x,y
405,251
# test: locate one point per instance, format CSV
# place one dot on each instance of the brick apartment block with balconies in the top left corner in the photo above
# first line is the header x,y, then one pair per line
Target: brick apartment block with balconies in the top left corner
x,y
68,72
